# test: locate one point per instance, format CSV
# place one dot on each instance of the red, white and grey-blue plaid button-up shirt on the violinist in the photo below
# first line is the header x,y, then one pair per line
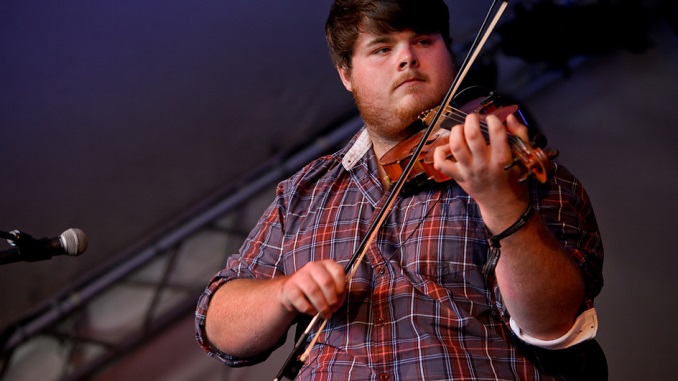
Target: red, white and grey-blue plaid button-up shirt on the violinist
x,y
418,307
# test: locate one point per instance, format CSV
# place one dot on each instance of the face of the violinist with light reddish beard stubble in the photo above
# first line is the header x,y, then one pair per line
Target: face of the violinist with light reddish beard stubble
x,y
396,76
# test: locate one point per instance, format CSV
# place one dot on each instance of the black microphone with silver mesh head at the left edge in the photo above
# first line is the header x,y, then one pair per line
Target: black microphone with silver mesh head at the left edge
x,y
72,242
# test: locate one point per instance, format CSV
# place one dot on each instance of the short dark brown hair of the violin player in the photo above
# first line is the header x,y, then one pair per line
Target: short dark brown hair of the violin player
x,y
347,16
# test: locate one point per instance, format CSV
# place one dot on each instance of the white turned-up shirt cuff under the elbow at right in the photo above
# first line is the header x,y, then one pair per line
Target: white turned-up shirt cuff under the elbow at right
x,y
584,328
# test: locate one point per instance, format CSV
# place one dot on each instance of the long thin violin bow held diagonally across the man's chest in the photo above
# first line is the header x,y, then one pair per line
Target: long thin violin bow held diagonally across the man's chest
x,y
294,361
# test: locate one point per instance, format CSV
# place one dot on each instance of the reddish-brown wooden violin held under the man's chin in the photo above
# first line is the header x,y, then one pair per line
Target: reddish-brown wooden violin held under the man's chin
x,y
532,157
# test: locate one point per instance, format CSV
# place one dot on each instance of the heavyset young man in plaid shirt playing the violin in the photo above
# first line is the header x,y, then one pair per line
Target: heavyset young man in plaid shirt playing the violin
x,y
420,306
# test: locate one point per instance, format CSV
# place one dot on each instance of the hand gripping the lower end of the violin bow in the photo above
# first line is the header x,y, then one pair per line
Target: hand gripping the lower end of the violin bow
x,y
318,287
